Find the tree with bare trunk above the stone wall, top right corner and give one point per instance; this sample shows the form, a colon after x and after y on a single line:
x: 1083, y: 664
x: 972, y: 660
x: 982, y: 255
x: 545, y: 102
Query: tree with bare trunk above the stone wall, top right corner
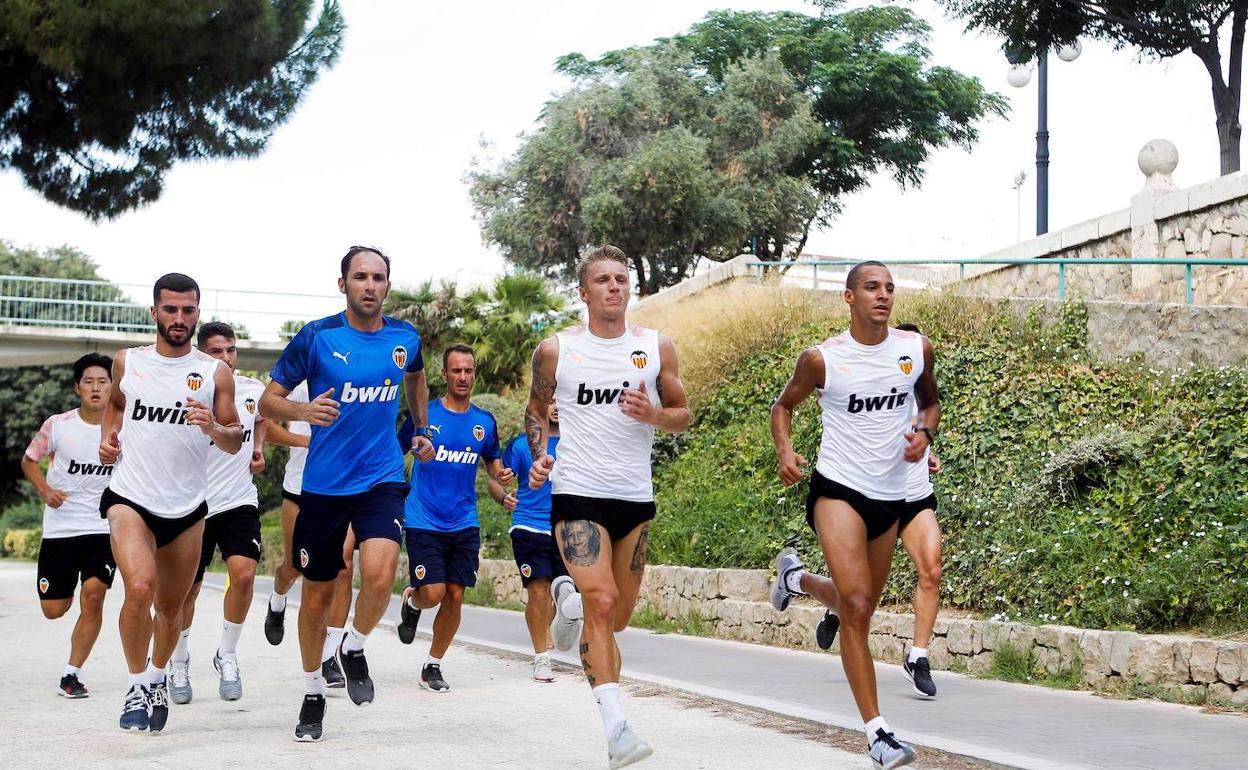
x: 1159, y: 28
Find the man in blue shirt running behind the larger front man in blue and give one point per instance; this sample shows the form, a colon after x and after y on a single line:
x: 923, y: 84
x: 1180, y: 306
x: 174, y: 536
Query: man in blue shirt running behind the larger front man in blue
x: 444, y: 535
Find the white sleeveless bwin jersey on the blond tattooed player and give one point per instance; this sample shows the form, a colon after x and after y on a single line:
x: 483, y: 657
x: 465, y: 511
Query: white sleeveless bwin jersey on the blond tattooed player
x: 605, y: 454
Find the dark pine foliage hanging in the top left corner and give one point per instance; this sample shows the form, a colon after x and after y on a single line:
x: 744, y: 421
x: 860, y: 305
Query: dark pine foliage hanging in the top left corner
x: 99, y: 100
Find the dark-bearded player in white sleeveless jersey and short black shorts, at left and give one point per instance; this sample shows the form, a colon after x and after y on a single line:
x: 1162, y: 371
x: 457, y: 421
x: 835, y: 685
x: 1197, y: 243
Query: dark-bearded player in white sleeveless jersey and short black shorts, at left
x: 168, y: 397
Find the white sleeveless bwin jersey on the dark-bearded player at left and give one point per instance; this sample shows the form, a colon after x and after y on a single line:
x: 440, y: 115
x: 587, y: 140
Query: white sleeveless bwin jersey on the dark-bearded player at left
x: 164, y: 461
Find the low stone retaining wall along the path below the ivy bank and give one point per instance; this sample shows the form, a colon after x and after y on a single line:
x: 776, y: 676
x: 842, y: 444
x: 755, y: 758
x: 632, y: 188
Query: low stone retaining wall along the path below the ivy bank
x: 736, y: 603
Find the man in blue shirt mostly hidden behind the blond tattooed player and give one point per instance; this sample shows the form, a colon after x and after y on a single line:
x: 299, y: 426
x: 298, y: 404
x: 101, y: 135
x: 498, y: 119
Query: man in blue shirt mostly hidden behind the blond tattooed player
x: 537, y: 555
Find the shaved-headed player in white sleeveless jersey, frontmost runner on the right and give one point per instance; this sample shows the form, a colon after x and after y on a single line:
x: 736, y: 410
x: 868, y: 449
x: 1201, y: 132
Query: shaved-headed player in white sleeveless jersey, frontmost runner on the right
x: 867, y: 378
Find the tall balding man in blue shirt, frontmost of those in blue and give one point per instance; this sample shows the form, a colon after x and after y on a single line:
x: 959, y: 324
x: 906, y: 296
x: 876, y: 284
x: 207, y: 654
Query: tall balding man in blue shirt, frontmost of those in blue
x: 355, y: 474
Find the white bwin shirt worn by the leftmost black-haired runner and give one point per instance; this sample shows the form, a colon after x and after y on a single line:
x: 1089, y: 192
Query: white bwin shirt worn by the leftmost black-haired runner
x: 76, y: 470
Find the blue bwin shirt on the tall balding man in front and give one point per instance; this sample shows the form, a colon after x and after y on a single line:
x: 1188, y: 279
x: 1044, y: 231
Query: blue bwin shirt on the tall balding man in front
x: 358, y: 451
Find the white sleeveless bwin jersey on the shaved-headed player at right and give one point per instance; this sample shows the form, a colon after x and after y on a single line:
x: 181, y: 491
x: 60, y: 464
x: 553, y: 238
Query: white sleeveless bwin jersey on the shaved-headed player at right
x: 867, y: 399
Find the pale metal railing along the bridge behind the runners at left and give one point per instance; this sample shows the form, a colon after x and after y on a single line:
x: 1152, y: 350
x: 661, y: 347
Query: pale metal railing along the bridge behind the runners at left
x: 124, y: 308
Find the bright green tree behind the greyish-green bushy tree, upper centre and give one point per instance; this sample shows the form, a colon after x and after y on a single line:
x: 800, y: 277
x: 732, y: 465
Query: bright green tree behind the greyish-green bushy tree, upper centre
x: 880, y: 105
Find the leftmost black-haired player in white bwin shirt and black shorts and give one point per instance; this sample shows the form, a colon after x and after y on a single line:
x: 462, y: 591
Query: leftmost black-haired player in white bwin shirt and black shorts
x: 76, y: 546
